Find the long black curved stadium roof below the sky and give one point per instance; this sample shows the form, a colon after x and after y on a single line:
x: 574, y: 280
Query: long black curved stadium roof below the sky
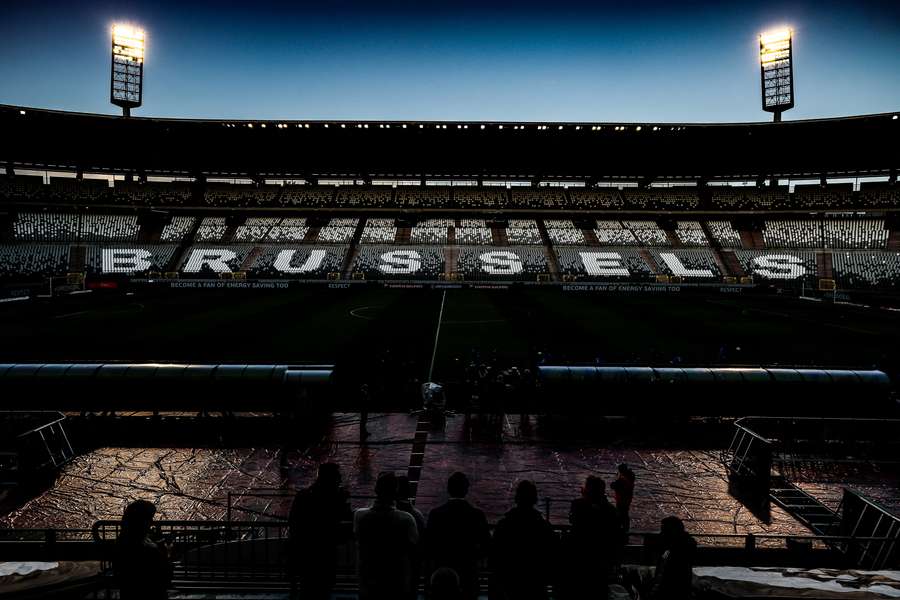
x: 849, y: 146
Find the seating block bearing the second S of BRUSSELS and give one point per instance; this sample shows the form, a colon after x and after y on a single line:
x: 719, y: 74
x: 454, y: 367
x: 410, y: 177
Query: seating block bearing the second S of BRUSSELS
x: 509, y: 263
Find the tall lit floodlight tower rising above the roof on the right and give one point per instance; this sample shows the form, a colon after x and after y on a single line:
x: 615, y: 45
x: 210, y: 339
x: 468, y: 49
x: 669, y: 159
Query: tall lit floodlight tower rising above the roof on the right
x: 777, y: 70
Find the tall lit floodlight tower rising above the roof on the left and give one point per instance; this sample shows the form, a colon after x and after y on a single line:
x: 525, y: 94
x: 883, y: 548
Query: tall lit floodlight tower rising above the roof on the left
x: 126, y: 87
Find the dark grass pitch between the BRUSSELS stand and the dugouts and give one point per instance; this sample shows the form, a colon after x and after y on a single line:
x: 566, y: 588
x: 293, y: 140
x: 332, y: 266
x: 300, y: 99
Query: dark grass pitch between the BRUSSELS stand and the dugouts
x: 359, y: 327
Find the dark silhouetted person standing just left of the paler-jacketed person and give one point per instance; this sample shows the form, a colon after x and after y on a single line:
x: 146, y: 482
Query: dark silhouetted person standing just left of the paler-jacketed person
x: 317, y: 526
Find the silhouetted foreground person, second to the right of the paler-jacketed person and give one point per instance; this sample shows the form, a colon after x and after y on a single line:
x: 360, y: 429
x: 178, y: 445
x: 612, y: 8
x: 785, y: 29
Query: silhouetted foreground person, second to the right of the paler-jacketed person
x: 523, y: 549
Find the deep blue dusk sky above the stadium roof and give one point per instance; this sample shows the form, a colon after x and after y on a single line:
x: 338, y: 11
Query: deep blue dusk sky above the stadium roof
x: 550, y: 61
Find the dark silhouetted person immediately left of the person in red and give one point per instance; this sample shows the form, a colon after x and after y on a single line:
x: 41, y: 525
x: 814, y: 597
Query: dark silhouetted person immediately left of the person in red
x: 593, y: 547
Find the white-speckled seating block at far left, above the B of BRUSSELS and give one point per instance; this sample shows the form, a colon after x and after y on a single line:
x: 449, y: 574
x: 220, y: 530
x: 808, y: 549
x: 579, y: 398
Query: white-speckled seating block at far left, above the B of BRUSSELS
x: 75, y: 227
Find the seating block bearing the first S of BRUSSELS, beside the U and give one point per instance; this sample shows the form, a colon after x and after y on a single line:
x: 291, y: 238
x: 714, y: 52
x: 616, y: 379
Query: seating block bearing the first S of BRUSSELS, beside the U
x: 400, y: 262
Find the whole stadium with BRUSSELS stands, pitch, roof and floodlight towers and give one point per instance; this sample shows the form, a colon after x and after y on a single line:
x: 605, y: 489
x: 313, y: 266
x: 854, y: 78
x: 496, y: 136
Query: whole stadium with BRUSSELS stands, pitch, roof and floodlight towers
x: 201, y: 313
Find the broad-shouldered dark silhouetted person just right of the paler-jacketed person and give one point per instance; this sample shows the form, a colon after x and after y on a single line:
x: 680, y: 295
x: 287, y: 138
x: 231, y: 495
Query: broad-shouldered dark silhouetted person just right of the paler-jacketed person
x: 458, y: 535
